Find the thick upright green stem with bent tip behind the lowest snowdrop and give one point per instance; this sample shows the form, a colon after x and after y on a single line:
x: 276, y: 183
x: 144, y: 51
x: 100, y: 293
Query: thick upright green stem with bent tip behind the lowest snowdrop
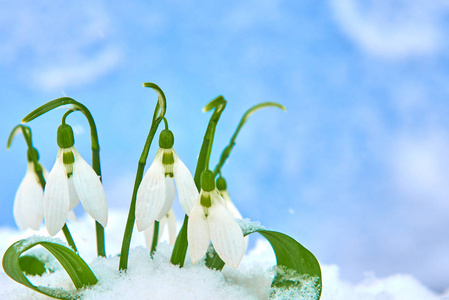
x: 181, y: 244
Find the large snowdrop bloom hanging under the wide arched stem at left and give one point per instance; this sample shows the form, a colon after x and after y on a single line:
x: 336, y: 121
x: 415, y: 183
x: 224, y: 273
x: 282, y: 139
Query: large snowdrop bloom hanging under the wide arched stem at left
x: 70, y: 181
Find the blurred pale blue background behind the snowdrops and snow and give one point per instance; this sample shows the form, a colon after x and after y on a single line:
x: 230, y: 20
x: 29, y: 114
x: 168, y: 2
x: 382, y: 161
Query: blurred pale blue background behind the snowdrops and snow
x: 357, y: 169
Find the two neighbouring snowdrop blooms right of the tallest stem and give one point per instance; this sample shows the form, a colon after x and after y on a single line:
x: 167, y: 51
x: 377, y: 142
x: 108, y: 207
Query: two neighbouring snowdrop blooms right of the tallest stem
x: 209, y: 221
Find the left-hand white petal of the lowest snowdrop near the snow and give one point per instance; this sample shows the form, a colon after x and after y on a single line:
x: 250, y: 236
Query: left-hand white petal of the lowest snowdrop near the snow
x: 197, y: 233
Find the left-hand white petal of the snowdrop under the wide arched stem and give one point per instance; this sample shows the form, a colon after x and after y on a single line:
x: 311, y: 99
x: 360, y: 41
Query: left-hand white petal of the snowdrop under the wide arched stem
x: 56, y: 197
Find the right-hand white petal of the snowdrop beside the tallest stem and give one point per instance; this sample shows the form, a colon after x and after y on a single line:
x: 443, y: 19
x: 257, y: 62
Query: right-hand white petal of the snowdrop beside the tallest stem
x: 187, y: 191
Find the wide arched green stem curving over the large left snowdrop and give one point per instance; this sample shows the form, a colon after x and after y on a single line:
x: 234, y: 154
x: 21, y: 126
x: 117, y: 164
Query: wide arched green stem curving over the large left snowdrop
x: 101, y: 251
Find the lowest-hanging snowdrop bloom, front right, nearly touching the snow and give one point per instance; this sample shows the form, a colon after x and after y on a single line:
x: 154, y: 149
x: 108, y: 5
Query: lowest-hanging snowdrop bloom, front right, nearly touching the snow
x: 209, y: 220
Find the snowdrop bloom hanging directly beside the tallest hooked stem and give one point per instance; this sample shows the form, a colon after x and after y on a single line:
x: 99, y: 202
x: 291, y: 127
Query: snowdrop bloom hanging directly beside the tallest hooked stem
x: 157, y: 191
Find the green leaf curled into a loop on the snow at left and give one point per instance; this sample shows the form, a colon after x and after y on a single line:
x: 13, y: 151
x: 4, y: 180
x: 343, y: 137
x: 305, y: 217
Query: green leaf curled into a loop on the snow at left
x: 75, y: 266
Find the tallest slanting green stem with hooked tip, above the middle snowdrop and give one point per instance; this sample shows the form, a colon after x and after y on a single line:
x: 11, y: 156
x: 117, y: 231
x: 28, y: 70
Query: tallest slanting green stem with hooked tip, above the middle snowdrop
x: 160, y: 107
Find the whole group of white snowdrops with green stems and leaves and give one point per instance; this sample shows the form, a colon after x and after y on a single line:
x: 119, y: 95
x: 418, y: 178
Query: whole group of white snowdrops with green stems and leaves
x: 210, y: 229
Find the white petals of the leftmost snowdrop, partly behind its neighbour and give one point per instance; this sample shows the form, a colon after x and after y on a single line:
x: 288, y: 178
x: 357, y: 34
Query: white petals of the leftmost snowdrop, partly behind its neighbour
x: 28, y: 202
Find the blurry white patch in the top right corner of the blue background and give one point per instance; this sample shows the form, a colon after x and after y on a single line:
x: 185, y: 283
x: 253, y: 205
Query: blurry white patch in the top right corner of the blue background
x: 398, y: 29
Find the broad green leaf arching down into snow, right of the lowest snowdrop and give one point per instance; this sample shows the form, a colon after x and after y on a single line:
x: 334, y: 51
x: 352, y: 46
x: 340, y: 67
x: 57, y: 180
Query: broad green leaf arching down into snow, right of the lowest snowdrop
x: 296, y: 266
